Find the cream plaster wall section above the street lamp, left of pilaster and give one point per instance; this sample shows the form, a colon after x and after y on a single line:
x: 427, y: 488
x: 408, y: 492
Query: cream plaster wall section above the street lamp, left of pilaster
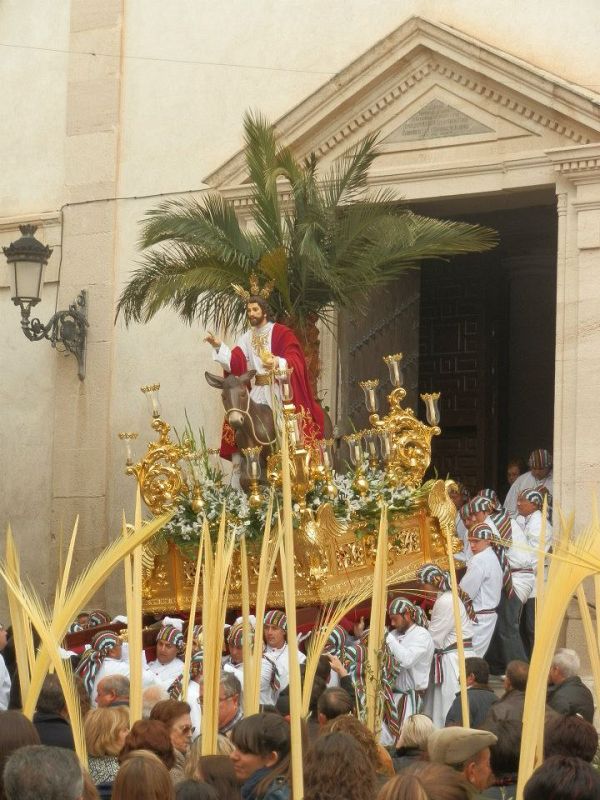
x: 33, y: 67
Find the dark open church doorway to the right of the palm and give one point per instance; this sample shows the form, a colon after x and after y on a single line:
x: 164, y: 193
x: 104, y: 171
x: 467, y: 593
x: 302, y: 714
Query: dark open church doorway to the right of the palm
x: 487, y: 342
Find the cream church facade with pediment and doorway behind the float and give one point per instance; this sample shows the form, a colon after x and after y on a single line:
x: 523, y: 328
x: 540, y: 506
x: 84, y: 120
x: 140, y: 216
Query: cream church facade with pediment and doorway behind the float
x: 137, y: 104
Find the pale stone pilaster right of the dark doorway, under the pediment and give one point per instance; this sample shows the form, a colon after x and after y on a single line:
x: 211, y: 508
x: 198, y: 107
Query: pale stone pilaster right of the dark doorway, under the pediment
x: 577, y: 416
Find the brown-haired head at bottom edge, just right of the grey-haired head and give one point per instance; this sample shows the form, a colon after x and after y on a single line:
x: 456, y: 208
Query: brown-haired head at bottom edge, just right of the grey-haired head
x: 143, y: 776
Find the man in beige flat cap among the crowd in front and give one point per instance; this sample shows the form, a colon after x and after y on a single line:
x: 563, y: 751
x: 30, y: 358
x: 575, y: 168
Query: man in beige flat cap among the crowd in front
x: 466, y: 750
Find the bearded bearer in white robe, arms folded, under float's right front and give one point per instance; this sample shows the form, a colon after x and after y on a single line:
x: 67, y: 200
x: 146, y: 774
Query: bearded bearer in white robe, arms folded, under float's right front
x: 411, y: 646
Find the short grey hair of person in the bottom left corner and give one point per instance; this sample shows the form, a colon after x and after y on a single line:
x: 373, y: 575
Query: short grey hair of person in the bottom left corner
x: 39, y: 772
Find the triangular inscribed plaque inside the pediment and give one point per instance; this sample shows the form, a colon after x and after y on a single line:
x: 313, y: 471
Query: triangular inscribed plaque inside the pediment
x: 436, y: 120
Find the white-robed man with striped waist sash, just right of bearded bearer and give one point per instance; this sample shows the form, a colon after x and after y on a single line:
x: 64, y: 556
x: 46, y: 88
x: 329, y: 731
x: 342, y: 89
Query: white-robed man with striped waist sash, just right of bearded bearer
x: 444, y: 680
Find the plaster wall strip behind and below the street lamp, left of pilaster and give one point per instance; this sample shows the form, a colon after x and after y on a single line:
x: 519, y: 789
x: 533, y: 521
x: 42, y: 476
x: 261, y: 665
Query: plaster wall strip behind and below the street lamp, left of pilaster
x: 27, y: 379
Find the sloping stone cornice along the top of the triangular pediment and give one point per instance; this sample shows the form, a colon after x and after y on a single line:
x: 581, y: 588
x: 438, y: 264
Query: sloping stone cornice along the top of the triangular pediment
x: 398, y: 63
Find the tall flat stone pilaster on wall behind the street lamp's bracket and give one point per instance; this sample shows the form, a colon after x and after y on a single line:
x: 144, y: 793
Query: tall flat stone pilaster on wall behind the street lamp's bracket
x: 92, y: 147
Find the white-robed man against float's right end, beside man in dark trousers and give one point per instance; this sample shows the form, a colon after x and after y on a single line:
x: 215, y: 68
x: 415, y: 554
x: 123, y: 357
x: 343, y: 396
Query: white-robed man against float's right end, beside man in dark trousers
x: 483, y: 583
